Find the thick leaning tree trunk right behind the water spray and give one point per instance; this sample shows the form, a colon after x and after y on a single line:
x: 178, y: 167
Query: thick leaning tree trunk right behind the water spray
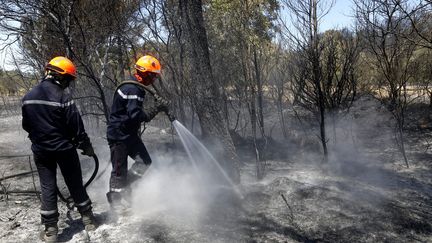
x: 207, y: 95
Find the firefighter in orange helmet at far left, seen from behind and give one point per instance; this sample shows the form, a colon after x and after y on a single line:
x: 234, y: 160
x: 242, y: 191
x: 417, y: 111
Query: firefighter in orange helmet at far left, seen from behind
x: 56, y: 130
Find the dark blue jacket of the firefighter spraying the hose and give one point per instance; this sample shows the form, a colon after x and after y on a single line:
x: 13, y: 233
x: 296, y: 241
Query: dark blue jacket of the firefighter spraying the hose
x: 127, y: 113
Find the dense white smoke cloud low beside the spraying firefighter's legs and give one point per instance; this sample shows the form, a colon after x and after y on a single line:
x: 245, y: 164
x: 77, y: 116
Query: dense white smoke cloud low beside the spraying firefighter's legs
x: 171, y: 186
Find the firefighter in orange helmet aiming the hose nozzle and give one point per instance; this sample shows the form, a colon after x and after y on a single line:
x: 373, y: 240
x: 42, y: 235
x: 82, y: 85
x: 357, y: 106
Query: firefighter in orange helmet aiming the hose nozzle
x: 126, y: 116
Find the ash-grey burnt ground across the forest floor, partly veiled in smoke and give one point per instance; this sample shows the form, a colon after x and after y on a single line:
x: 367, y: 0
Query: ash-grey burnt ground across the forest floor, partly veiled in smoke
x: 365, y: 193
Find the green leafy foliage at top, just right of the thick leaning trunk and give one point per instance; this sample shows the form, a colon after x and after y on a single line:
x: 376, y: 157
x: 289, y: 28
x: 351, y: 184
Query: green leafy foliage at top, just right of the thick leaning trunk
x: 236, y: 30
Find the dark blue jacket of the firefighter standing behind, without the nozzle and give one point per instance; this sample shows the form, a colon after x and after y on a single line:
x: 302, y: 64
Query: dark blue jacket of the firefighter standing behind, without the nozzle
x: 52, y: 119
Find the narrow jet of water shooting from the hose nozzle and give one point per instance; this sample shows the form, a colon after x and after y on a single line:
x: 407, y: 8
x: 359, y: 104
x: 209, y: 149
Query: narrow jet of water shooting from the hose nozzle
x: 199, y: 154
